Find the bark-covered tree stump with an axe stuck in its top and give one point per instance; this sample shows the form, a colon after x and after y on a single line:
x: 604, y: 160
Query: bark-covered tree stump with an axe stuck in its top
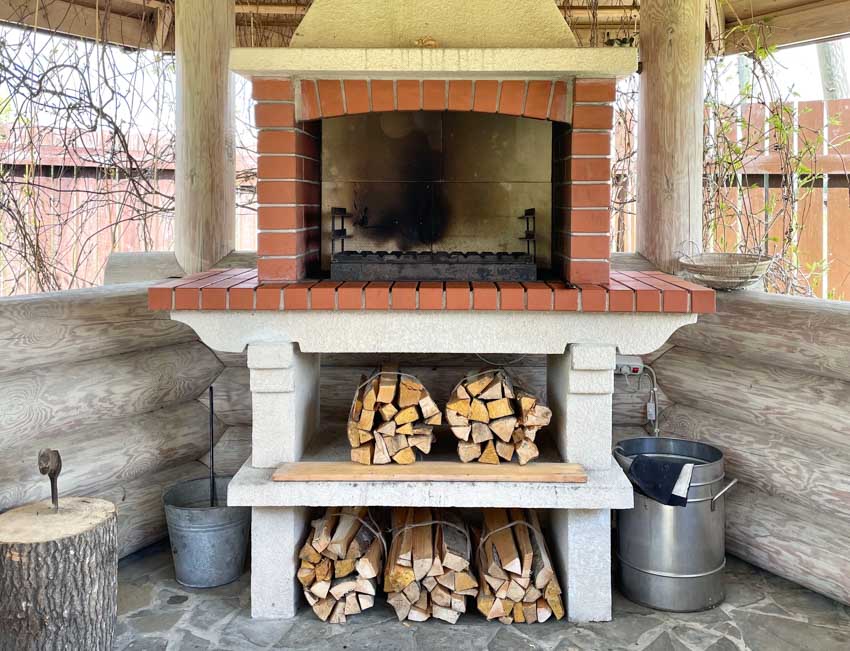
x: 59, y: 575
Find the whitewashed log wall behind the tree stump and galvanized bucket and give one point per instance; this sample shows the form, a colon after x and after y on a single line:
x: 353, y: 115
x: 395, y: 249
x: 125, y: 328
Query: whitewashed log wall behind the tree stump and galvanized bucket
x: 114, y: 388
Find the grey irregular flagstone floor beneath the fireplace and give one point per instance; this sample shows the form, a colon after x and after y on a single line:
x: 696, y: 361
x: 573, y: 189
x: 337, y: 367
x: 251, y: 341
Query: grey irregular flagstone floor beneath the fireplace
x: 762, y: 612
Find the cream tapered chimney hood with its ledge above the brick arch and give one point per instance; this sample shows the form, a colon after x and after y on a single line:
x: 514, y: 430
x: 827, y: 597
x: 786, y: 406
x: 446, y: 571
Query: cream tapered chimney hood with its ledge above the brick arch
x: 437, y: 39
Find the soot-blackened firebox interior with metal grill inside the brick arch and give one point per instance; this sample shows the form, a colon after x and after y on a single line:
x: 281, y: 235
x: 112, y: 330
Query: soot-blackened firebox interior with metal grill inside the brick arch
x: 436, y: 196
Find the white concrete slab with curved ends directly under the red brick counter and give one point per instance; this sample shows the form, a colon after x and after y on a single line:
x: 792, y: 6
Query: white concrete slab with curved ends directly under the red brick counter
x: 434, y: 332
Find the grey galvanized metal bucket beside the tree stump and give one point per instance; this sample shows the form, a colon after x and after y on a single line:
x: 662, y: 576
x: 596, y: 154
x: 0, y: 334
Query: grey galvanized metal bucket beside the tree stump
x: 209, y: 543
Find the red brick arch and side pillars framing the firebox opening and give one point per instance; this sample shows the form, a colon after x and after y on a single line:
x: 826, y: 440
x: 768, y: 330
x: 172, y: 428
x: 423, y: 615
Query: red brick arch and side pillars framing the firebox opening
x: 289, y: 159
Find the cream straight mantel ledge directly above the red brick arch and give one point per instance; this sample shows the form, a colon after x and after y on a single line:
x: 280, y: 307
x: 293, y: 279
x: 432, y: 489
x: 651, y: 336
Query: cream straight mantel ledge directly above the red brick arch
x: 435, y: 63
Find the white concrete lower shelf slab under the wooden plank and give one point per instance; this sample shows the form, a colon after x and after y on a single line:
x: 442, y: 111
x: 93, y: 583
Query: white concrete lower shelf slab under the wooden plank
x: 604, y: 489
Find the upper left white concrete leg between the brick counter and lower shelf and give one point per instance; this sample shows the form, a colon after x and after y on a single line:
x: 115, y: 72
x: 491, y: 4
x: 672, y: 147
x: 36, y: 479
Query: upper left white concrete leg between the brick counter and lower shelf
x: 285, y: 394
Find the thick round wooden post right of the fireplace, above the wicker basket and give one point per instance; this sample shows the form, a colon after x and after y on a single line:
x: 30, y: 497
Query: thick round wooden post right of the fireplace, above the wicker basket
x: 670, y: 159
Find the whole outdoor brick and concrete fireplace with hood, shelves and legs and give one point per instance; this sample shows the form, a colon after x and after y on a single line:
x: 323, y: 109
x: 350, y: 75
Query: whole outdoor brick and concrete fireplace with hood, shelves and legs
x: 429, y: 136
